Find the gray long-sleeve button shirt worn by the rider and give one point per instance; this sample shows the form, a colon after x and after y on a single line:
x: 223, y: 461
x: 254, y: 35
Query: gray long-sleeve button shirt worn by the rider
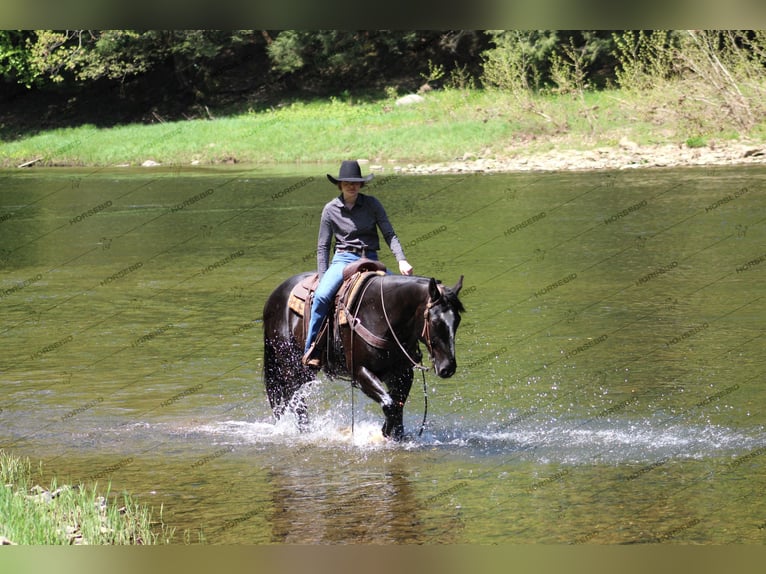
x: 355, y: 228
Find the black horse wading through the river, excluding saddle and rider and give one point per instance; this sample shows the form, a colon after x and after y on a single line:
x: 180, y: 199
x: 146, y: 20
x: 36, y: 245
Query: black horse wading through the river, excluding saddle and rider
x: 397, y: 311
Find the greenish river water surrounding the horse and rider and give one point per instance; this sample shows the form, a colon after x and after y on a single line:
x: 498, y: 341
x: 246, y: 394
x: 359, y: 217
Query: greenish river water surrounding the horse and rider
x: 609, y: 387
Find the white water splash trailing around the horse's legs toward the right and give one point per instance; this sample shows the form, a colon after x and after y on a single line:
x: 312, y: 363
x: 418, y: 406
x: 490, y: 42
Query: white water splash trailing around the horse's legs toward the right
x: 569, y: 442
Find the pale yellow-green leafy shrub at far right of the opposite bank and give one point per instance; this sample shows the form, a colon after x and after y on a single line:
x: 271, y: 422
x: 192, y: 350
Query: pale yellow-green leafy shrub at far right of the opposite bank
x: 697, y: 80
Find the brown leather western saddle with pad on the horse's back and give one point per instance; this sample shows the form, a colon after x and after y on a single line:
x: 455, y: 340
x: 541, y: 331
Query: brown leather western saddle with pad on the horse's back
x: 355, y: 276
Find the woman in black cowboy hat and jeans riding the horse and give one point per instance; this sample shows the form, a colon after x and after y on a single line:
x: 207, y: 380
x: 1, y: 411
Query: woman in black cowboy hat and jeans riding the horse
x: 353, y: 219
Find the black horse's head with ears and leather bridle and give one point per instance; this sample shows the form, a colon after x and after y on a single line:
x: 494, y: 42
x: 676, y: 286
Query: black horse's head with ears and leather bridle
x: 442, y: 318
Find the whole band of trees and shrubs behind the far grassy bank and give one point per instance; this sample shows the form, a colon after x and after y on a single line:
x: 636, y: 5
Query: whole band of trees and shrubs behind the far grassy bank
x: 687, y: 82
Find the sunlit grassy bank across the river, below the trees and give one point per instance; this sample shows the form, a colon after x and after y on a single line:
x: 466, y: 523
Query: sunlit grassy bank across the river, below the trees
x: 447, y: 125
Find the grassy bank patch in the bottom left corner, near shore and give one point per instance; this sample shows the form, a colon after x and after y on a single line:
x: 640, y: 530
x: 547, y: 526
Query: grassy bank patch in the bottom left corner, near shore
x: 78, y: 514
